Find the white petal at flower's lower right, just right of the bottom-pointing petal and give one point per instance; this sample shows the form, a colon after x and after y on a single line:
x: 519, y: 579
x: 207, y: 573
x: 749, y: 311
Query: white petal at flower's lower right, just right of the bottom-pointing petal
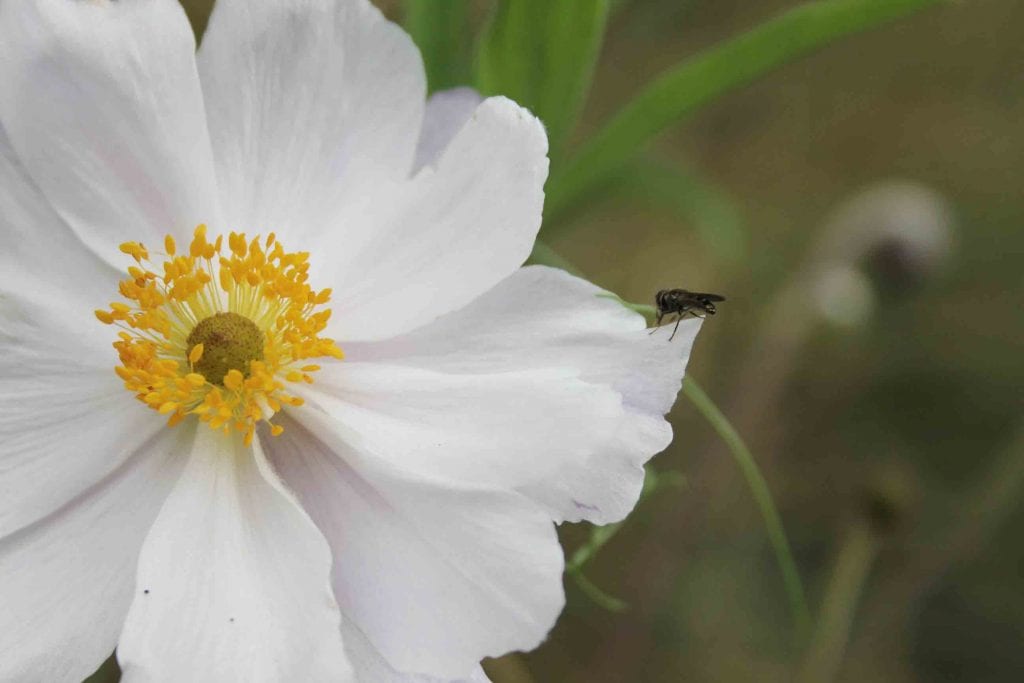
x: 438, y: 575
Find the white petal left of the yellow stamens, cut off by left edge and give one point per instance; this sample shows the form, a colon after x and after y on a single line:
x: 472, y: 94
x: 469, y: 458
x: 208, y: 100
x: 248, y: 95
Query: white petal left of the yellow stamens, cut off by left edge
x: 66, y: 421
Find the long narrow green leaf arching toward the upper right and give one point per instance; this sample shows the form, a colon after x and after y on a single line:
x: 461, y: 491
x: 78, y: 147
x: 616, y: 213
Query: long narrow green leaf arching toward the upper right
x: 689, y: 87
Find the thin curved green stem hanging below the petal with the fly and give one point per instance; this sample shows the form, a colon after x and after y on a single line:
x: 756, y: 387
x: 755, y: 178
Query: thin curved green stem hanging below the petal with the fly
x: 759, y: 489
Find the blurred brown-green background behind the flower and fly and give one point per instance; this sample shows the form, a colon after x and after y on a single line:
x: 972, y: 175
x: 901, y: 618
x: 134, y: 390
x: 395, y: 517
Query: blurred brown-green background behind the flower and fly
x: 862, y: 209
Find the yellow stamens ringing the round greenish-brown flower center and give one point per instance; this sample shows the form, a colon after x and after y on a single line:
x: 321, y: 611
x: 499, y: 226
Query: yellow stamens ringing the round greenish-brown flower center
x: 226, y: 348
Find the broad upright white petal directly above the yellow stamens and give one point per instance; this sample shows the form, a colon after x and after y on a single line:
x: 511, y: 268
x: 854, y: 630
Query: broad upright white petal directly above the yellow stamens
x: 313, y: 104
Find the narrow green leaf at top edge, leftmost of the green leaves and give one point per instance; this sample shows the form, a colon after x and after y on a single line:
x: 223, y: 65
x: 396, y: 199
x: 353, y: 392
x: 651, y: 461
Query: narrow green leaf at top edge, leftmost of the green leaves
x: 441, y: 30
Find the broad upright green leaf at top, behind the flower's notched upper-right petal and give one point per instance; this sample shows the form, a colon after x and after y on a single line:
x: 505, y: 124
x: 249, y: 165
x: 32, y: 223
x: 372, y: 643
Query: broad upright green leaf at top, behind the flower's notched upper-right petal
x: 542, y: 55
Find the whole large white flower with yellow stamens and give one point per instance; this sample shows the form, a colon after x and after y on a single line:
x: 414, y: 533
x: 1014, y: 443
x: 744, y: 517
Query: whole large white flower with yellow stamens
x: 403, y: 521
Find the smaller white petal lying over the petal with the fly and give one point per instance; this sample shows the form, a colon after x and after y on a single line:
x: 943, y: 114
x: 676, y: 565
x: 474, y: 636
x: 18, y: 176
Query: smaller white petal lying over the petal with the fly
x: 505, y: 431
